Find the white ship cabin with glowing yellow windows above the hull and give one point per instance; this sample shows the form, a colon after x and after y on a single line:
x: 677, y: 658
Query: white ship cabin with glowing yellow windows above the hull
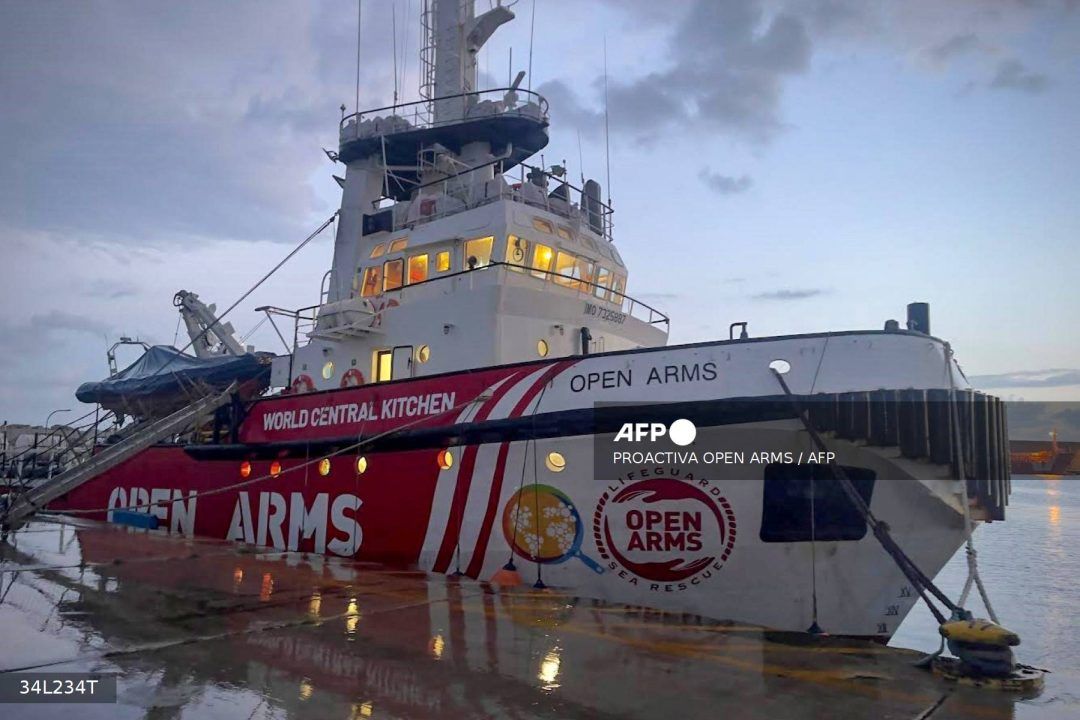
x: 518, y: 275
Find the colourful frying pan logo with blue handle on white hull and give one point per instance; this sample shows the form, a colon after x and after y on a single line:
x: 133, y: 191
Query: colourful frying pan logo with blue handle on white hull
x: 543, y: 525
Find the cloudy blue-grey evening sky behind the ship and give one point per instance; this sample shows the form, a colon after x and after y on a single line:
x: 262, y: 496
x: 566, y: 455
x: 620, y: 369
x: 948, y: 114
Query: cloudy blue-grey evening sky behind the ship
x: 804, y: 166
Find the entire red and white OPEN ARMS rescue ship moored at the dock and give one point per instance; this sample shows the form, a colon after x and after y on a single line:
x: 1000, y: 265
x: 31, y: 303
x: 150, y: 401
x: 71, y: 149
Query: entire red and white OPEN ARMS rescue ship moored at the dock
x: 478, y: 393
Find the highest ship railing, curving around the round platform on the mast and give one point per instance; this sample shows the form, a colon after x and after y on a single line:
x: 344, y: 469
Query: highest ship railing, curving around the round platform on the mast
x: 408, y: 117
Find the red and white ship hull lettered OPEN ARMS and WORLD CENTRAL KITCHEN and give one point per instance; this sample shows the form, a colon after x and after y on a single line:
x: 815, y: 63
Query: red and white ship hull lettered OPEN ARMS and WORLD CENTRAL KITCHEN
x: 724, y: 539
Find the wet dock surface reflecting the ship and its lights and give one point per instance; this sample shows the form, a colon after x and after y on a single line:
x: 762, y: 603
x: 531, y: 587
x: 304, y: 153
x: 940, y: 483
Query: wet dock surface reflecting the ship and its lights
x: 199, y: 629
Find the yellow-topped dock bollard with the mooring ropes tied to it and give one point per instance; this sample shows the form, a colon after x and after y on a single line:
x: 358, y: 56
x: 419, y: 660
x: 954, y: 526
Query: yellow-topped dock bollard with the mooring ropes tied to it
x: 983, y: 648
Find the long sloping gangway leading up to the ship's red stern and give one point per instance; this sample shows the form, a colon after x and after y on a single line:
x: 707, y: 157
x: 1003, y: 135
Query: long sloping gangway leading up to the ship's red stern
x: 144, y: 437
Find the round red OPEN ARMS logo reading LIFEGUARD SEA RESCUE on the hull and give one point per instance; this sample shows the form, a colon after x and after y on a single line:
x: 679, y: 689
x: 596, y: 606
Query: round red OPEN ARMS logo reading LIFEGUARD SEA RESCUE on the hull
x: 673, y: 533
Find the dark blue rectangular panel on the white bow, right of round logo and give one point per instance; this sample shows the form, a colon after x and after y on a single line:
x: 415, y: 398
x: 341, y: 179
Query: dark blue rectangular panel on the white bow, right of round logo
x: 786, y: 504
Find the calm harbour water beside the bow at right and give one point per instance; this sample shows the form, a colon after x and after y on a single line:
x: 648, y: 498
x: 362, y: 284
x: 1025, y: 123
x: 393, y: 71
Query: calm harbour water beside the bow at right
x: 1030, y: 565
